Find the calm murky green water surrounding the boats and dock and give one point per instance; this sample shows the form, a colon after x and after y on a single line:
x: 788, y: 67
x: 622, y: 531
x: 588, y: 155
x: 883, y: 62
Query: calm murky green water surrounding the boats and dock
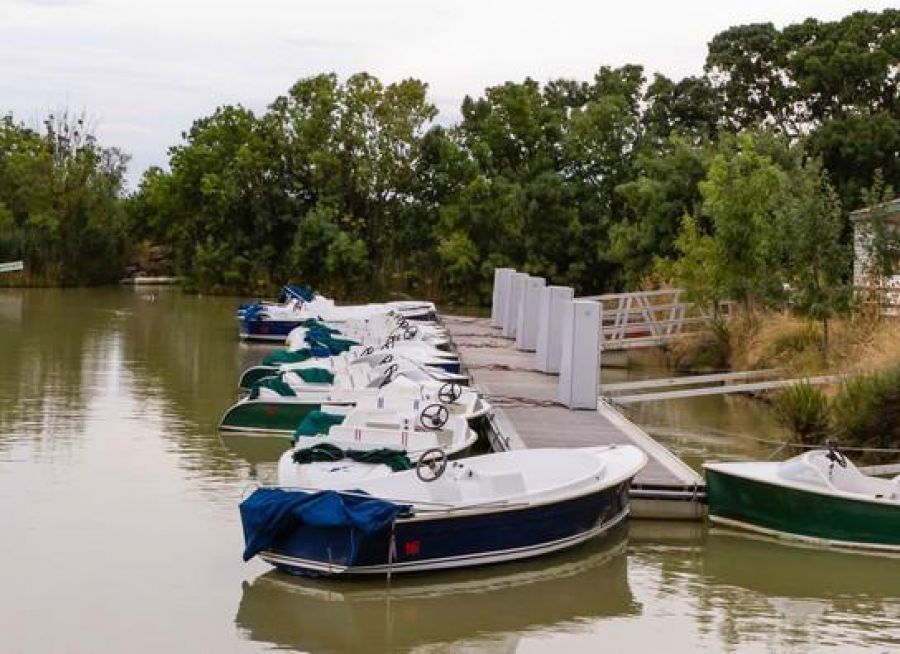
x: 120, y: 530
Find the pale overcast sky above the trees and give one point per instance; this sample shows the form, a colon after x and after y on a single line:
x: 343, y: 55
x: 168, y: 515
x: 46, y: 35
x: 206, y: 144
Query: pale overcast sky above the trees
x: 145, y: 69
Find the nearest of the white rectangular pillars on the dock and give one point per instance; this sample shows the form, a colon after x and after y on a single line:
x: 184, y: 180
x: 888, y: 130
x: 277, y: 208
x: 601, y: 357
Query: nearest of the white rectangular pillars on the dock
x: 579, y: 371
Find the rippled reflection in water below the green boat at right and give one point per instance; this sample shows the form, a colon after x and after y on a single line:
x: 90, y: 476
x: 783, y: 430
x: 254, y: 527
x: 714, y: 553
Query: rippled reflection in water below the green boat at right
x: 804, y: 594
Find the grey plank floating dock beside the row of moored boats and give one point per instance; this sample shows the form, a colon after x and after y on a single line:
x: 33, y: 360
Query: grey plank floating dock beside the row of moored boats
x: 528, y: 414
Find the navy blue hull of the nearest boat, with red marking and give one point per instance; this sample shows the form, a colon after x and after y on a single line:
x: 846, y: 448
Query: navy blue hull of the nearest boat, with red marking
x: 452, y: 540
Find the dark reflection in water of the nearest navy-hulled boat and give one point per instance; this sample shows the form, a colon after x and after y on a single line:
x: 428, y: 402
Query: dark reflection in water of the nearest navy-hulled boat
x: 494, y: 605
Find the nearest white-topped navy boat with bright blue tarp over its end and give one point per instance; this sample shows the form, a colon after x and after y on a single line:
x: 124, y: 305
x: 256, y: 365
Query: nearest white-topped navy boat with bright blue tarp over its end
x: 445, y: 514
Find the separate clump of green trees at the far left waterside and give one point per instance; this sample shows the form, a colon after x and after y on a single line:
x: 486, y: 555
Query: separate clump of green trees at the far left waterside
x: 60, y: 208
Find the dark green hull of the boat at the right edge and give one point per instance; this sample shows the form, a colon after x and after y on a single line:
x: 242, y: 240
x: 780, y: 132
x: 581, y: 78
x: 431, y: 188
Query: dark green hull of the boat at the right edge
x: 799, y: 514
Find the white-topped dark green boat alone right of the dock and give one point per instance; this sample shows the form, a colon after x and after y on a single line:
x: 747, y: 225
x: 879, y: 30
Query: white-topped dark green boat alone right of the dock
x: 818, y: 497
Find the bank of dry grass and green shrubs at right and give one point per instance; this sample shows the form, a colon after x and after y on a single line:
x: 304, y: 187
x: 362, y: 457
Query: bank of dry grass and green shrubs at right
x: 861, y: 412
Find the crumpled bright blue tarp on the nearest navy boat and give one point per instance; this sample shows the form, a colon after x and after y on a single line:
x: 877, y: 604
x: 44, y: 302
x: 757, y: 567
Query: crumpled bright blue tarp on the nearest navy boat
x: 271, y: 512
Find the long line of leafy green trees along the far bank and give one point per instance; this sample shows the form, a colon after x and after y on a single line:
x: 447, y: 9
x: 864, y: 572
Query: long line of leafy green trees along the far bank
x: 736, y: 182
